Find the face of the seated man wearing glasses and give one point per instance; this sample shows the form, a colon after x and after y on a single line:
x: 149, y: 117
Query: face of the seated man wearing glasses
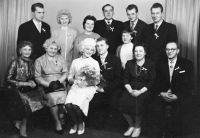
x: 172, y: 51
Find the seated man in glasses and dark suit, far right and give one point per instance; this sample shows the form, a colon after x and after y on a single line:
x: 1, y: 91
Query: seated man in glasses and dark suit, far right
x: 173, y: 88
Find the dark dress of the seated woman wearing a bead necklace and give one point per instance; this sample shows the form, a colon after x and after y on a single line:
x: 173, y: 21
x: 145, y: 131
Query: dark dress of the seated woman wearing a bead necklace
x: 144, y: 78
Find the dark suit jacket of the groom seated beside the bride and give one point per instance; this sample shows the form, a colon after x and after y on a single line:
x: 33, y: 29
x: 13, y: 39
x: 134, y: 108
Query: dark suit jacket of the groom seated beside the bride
x: 112, y: 72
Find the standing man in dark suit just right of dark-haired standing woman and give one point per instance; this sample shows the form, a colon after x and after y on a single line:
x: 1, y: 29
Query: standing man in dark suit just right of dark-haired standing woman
x: 109, y: 28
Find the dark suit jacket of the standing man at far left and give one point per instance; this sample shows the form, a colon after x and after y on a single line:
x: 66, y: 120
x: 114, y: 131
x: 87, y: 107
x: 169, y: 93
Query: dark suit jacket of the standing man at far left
x: 28, y: 31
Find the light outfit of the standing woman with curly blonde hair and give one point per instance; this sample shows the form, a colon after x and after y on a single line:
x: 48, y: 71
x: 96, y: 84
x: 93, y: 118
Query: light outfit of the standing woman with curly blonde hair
x: 66, y: 37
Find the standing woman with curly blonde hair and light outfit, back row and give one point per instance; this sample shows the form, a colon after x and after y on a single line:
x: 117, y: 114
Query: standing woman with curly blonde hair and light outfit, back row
x: 65, y: 35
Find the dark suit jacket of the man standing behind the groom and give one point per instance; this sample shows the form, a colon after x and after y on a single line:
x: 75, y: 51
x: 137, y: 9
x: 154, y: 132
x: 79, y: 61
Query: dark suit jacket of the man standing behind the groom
x: 114, y: 35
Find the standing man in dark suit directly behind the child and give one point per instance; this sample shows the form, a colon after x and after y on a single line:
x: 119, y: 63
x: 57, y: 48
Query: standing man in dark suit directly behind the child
x: 134, y: 24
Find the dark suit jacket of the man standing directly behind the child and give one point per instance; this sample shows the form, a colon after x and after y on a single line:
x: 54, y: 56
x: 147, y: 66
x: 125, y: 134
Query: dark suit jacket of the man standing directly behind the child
x: 139, y: 28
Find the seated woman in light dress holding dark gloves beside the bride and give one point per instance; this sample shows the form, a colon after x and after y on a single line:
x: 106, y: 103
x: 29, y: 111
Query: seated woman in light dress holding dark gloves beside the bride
x: 51, y: 72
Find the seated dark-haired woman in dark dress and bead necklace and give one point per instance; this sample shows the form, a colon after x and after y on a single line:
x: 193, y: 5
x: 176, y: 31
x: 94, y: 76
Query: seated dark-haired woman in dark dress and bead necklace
x: 138, y: 78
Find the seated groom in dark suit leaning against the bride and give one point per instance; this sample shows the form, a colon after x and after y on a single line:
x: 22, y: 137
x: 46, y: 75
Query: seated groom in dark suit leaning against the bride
x: 107, y: 98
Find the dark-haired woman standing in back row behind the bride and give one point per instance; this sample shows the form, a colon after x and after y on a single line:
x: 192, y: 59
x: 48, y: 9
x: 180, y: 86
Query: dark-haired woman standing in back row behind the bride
x: 88, y: 26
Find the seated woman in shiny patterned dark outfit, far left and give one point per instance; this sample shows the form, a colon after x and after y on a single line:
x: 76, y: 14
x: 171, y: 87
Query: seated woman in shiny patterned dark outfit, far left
x: 22, y: 94
